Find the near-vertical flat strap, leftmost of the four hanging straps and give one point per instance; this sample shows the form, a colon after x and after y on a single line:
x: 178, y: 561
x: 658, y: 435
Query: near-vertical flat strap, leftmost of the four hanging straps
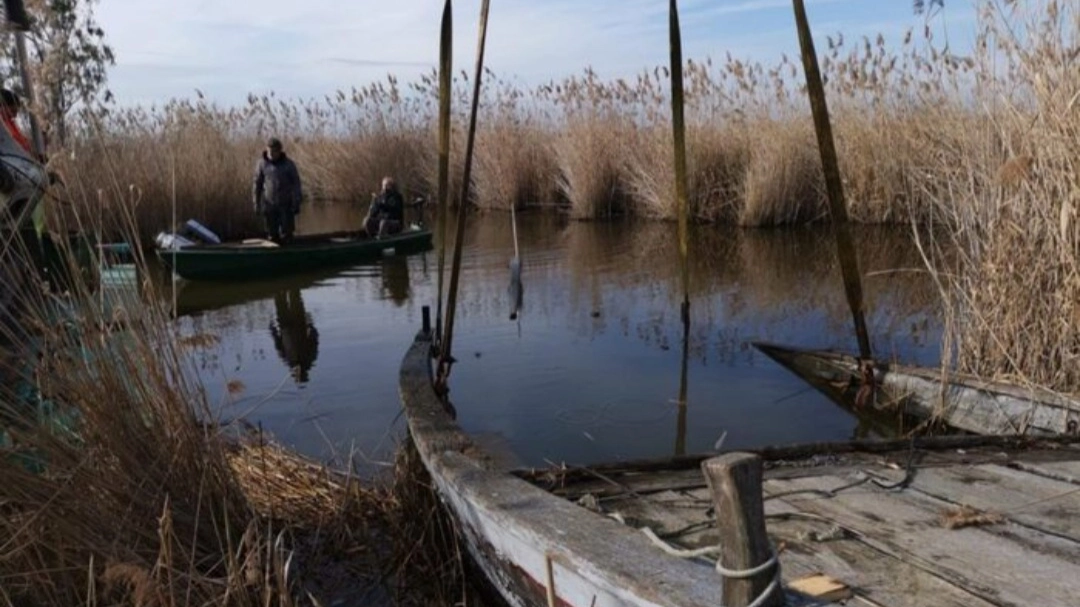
x: 445, y: 69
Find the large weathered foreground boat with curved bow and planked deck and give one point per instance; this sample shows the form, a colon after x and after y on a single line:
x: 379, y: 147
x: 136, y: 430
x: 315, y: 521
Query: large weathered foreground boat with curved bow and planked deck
x: 863, y: 520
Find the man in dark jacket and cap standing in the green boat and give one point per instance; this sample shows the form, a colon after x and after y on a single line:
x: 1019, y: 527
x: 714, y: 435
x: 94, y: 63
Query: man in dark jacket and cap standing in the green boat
x: 277, y: 194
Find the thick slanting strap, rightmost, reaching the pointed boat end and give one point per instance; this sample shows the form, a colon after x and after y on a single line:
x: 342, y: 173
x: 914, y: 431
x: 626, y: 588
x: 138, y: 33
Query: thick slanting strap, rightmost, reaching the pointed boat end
x: 839, y: 210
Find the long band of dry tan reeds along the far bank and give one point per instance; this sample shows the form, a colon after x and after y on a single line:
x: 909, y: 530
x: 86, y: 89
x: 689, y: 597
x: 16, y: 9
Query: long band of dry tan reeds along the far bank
x: 591, y: 146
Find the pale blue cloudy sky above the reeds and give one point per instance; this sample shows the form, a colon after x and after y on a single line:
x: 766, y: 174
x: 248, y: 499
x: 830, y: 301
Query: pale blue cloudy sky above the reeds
x: 228, y: 49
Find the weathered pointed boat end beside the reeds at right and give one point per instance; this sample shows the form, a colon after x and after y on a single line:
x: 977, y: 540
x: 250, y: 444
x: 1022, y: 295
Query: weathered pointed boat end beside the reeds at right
x: 963, y: 401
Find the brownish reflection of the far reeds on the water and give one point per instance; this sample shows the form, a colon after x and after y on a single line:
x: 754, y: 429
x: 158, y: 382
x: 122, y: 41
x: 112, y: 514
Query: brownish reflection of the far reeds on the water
x: 624, y: 277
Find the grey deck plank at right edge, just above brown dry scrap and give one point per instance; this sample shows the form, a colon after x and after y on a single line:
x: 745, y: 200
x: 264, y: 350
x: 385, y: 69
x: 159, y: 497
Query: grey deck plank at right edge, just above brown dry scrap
x: 1030, y: 500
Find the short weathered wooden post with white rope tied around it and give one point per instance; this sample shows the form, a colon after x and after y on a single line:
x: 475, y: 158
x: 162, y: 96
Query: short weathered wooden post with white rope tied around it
x: 735, y: 481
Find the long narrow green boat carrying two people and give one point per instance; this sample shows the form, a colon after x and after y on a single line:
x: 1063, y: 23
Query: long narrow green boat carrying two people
x: 260, y: 259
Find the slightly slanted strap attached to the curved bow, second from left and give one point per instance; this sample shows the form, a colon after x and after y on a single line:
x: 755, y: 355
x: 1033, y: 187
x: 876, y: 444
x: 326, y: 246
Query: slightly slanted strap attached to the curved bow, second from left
x: 445, y: 358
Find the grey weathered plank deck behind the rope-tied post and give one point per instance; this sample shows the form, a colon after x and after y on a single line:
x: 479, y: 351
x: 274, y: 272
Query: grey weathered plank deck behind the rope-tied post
x: 977, y: 527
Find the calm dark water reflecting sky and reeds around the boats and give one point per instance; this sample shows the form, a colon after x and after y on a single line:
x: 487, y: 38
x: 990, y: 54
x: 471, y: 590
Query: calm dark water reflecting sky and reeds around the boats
x: 590, y: 372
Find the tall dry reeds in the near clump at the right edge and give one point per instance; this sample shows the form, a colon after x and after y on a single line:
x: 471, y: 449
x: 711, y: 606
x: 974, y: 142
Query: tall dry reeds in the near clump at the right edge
x: 1011, y: 206
